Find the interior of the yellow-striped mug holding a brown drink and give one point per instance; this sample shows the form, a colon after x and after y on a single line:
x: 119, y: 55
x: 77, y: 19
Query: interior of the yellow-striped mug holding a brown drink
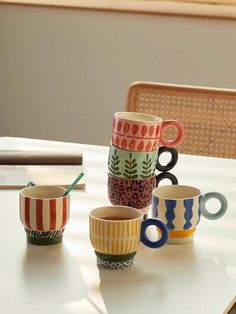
x: 115, y: 211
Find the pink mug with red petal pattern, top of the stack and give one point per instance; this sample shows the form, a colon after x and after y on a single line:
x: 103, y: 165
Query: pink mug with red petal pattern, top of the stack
x: 142, y: 132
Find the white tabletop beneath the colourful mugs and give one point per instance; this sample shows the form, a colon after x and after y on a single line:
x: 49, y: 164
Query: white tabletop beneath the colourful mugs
x: 194, y: 278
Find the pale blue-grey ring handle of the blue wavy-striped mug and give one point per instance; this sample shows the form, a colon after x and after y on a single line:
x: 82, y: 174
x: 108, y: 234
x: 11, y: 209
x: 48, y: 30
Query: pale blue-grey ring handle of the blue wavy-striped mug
x: 220, y: 197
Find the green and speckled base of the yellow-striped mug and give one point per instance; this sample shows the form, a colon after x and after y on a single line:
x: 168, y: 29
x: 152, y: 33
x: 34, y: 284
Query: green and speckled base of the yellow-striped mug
x: 110, y: 261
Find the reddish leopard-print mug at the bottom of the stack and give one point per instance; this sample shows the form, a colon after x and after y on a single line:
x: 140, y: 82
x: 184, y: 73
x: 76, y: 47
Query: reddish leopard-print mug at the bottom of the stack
x: 136, y: 193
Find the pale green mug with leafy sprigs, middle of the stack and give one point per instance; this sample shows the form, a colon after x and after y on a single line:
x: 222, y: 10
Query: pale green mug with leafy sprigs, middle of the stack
x: 134, y: 165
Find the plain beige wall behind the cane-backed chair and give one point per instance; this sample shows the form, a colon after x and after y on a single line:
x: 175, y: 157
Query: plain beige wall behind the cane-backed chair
x: 64, y: 72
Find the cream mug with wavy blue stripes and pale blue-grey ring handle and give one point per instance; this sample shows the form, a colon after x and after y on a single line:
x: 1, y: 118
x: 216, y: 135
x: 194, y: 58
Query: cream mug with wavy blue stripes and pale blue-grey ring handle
x: 180, y: 207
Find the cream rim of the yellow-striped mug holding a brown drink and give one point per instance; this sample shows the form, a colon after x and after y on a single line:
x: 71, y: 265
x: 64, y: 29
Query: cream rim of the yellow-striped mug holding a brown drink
x: 119, y: 207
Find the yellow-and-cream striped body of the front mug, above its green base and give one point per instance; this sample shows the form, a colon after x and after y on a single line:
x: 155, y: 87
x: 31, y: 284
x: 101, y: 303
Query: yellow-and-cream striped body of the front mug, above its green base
x: 115, y: 237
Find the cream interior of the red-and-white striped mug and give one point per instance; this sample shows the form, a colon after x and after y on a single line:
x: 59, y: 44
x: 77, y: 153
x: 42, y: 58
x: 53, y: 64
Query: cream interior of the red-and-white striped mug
x: 43, y: 192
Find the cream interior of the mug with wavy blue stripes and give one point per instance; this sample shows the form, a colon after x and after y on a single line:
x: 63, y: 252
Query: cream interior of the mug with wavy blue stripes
x: 176, y: 192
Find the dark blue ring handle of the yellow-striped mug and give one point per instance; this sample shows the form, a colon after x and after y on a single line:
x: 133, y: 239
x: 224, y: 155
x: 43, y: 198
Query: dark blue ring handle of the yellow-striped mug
x: 161, y: 226
